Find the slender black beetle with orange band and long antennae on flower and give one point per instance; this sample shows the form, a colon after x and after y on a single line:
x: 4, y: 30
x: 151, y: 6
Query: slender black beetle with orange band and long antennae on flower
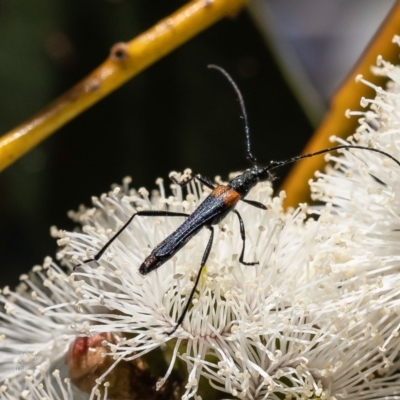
x: 221, y: 201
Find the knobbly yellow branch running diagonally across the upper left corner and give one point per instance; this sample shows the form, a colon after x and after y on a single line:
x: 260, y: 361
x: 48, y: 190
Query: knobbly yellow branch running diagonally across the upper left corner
x: 125, y: 61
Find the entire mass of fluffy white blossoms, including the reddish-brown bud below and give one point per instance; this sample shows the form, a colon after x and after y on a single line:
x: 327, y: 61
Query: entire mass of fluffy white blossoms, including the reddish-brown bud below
x: 317, y: 318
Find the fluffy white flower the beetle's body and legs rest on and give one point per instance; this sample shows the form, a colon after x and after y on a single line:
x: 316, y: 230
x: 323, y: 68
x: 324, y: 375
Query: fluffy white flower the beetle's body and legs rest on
x: 288, y: 326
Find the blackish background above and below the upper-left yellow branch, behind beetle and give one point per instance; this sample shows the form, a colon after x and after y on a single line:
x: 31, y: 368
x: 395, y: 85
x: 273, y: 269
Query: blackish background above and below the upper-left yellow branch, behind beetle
x: 176, y: 114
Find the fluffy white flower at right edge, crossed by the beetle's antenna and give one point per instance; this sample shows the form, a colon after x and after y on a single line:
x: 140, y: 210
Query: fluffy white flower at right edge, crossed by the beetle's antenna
x: 364, y: 188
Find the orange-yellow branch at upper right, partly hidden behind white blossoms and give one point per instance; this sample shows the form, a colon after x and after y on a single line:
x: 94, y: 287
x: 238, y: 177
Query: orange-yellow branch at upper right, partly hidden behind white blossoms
x: 348, y: 96
